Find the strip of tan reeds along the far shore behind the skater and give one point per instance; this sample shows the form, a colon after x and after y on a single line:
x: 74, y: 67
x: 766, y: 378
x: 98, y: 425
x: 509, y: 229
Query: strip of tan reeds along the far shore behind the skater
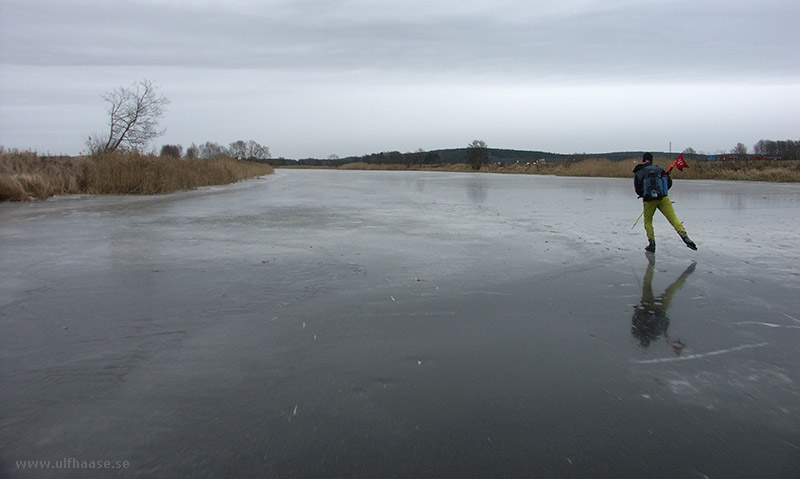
x: 772, y: 171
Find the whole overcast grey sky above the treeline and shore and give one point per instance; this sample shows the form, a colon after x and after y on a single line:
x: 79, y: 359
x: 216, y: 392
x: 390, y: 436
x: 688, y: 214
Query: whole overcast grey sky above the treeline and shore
x: 312, y: 78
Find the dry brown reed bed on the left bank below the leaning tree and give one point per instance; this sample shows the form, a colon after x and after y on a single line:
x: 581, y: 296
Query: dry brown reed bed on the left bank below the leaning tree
x: 25, y: 175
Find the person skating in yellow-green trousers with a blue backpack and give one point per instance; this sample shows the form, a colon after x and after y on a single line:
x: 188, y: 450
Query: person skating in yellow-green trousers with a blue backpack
x: 652, y: 184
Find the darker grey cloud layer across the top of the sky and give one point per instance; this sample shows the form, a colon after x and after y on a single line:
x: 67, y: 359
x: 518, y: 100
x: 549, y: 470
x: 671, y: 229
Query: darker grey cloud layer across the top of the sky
x: 532, y: 39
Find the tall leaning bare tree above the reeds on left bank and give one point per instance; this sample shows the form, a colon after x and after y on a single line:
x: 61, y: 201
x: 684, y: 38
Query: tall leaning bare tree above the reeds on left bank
x: 134, y: 113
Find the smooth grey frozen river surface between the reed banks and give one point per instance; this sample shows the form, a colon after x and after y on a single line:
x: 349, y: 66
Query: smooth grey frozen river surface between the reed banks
x: 402, y: 324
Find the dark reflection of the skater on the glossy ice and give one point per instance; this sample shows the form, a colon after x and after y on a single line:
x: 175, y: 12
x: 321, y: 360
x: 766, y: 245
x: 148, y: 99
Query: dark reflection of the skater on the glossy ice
x: 650, y: 319
